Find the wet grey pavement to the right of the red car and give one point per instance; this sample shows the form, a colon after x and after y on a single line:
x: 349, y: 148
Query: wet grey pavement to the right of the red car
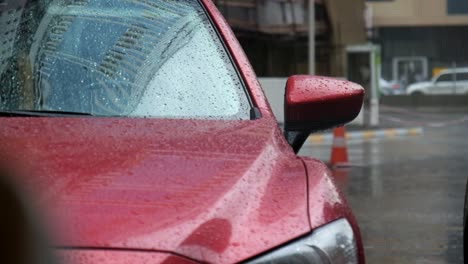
x: 408, y: 192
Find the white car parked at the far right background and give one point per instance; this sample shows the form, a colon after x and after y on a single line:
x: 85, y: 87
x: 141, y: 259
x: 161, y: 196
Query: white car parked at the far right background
x: 452, y: 81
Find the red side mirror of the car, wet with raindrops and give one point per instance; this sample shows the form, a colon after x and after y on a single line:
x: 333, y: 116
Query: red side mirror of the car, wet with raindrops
x: 313, y: 103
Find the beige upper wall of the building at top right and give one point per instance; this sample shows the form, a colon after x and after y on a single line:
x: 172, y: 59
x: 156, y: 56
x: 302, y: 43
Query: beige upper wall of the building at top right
x: 413, y: 13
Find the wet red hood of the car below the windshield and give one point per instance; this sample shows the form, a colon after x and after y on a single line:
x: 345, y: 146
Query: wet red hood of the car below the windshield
x: 216, y: 191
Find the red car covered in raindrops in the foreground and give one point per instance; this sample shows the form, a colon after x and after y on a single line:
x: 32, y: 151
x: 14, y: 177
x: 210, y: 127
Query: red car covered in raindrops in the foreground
x: 146, y: 138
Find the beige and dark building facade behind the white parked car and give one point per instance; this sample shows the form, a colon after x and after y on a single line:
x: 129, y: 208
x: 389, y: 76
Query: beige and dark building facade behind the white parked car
x: 419, y: 37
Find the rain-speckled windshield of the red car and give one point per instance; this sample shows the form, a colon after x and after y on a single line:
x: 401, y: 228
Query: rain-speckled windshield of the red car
x: 149, y: 58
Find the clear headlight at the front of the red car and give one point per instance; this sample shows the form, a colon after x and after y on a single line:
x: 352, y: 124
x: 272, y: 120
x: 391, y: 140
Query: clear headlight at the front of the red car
x: 333, y: 243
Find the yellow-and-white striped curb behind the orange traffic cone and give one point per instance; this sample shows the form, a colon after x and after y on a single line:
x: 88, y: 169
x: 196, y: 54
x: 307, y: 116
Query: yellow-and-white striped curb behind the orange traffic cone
x: 368, y: 134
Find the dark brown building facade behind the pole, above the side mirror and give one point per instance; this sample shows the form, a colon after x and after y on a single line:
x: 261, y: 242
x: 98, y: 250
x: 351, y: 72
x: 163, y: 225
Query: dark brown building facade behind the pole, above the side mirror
x: 274, y: 33
